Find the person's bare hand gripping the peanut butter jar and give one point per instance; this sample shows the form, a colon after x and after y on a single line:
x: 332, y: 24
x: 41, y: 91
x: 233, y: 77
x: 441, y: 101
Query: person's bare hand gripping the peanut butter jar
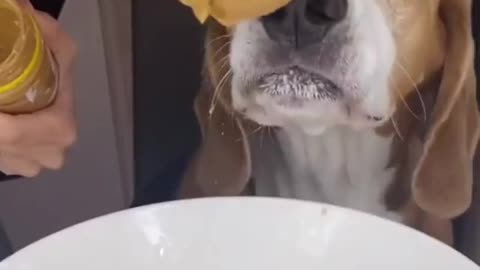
x: 32, y: 142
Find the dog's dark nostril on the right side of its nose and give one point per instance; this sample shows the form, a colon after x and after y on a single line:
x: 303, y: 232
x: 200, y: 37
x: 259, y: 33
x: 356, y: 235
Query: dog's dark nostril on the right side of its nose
x: 325, y: 11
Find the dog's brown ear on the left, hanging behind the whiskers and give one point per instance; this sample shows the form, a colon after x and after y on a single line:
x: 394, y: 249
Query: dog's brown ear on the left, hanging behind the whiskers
x: 222, y: 165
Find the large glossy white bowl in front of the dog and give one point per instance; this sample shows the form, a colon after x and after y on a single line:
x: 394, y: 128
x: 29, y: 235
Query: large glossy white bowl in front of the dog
x: 238, y: 234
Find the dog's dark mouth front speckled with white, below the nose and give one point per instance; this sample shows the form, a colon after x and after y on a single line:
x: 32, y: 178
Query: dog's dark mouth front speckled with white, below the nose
x: 299, y: 84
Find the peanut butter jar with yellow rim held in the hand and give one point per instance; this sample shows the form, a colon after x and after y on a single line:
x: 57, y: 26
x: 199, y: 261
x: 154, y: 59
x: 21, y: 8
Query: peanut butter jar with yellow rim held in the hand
x: 28, y: 74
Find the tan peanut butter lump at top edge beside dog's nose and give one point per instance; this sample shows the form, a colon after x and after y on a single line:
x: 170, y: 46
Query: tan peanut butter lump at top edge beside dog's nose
x: 230, y: 12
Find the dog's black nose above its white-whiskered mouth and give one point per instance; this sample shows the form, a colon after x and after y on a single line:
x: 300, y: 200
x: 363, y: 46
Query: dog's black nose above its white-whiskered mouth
x: 304, y: 22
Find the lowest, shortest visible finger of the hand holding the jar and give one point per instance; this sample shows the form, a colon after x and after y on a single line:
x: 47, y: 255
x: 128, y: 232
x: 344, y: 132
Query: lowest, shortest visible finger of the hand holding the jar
x: 12, y: 165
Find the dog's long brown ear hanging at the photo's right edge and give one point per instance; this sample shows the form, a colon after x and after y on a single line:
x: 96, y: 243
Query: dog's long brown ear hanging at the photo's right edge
x: 442, y: 183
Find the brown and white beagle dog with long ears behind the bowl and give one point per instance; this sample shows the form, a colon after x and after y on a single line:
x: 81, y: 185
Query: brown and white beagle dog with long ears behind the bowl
x: 365, y: 104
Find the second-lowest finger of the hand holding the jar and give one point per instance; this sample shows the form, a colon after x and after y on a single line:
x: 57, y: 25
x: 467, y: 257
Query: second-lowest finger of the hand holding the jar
x: 52, y: 158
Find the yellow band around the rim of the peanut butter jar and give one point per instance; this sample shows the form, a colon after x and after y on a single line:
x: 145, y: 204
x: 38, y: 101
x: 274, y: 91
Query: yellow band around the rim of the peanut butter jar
x: 34, y: 62
